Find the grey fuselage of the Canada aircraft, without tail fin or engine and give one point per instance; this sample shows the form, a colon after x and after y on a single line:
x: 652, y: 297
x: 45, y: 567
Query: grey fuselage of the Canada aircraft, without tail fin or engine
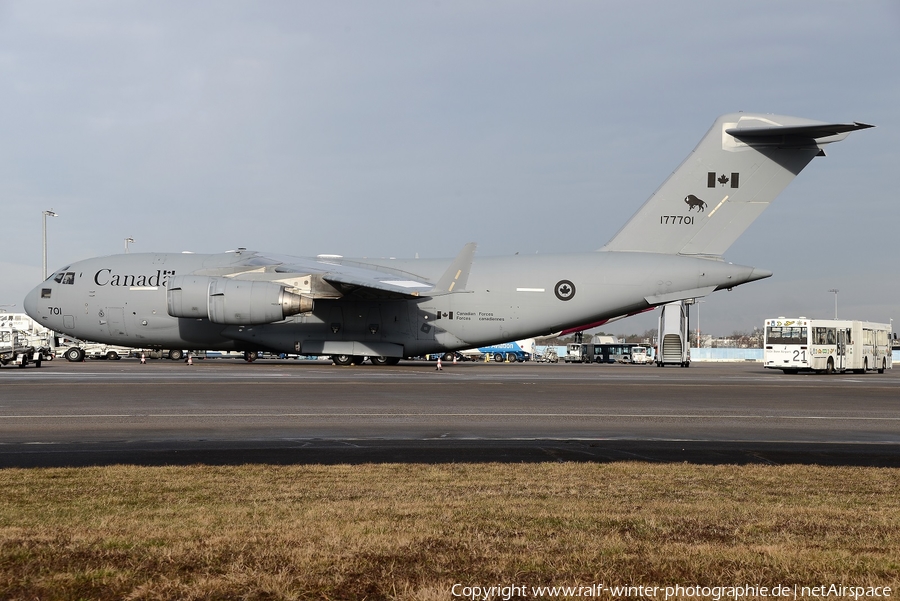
x: 122, y: 299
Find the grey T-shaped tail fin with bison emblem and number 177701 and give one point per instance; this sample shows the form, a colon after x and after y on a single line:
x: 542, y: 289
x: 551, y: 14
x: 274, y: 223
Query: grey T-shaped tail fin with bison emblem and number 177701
x: 734, y: 173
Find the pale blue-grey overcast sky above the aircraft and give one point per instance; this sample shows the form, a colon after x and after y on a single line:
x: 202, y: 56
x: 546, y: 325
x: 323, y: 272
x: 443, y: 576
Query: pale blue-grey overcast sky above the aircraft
x: 395, y: 128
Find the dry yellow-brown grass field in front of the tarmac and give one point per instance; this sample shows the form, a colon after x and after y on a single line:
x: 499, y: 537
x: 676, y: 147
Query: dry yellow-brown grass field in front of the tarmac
x: 413, y: 531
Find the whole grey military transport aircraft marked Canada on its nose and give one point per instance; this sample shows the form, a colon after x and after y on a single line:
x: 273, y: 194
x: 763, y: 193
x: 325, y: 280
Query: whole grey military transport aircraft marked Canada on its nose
x: 386, y: 309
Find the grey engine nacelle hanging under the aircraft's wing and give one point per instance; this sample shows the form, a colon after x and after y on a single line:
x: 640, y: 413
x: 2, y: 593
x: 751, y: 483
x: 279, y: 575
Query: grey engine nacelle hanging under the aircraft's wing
x: 232, y: 302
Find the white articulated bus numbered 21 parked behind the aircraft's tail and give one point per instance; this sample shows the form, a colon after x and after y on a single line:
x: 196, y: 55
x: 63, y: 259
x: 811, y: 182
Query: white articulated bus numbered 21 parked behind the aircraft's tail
x: 827, y: 345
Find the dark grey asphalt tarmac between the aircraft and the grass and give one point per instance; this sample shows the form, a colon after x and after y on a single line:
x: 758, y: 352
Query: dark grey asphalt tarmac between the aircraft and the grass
x: 222, y: 411
